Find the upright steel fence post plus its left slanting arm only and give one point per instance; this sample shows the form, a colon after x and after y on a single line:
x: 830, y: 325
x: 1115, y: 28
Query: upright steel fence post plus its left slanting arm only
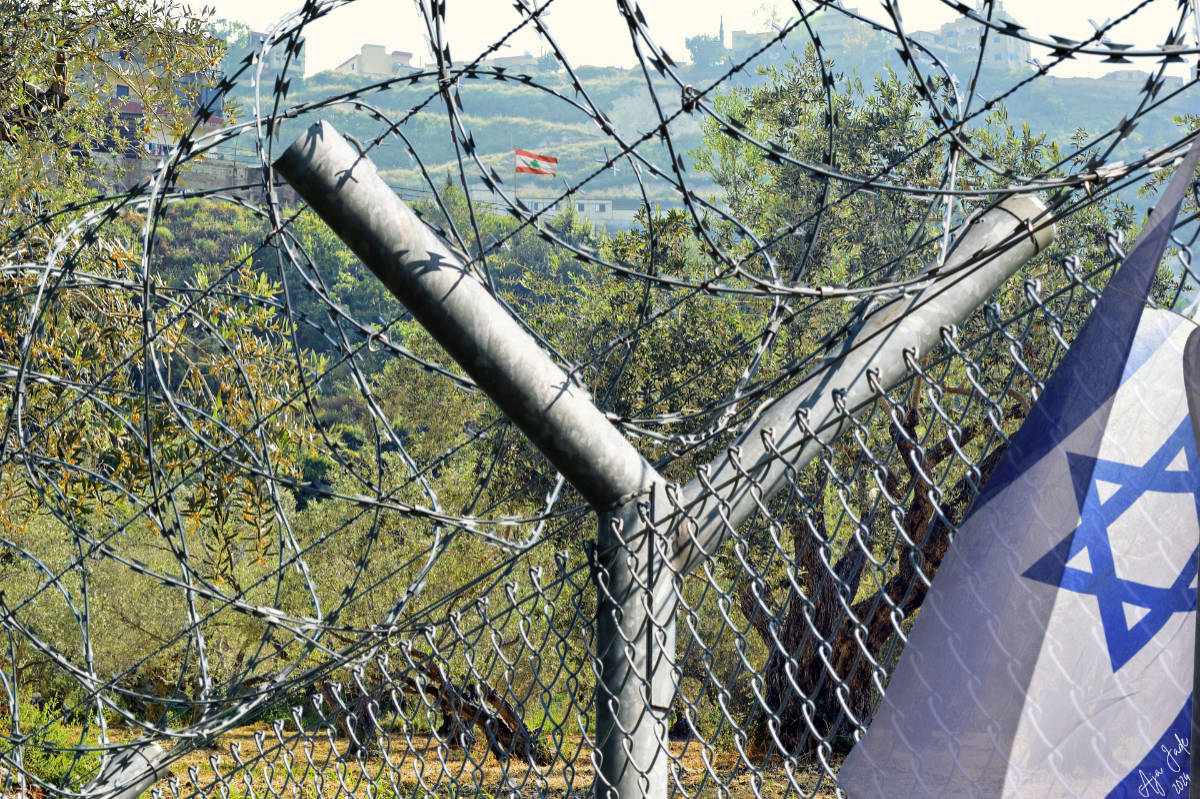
x: 635, y: 635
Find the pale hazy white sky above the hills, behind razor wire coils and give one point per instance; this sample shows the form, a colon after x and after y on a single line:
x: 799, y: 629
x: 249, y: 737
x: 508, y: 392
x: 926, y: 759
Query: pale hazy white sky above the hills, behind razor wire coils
x: 591, y: 32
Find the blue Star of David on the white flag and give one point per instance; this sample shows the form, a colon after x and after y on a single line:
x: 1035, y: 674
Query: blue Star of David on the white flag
x: 1093, y: 534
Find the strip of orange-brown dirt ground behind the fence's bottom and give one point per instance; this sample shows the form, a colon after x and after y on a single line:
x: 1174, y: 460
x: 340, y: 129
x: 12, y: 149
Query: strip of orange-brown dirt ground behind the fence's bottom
x: 256, y: 762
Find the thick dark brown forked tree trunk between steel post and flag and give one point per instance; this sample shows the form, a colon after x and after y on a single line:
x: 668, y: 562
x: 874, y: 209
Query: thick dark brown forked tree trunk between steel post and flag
x: 818, y: 680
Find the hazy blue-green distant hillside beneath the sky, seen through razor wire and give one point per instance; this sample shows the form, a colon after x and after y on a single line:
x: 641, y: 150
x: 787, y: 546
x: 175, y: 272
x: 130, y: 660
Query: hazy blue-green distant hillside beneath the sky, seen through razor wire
x: 501, y: 116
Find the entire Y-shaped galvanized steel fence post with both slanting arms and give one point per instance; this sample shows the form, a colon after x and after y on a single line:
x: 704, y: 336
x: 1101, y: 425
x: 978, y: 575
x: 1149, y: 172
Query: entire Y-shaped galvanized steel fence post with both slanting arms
x: 644, y: 539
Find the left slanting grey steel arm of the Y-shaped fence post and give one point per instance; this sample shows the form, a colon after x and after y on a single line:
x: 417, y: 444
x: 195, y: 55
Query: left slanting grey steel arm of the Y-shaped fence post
x: 433, y: 281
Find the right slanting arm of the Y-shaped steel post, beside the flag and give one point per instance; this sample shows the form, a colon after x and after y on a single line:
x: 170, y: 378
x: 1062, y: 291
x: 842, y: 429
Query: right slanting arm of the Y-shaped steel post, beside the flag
x: 991, y: 250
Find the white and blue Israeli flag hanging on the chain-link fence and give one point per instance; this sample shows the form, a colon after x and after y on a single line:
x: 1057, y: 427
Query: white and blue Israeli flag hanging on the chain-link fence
x: 1054, y: 653
